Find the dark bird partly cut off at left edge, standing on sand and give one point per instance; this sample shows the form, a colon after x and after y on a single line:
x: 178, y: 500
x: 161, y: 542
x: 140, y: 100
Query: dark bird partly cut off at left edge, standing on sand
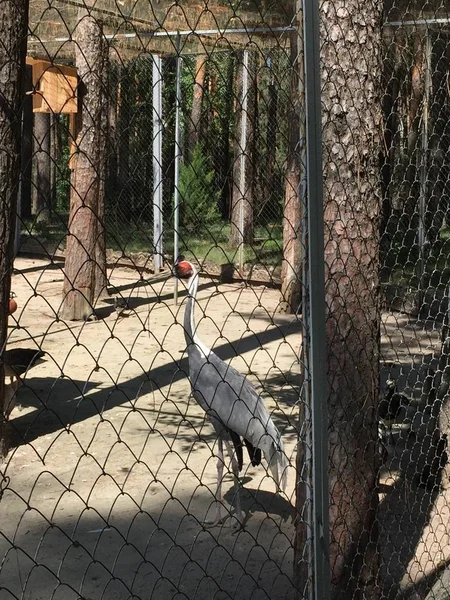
x: 16, y: 363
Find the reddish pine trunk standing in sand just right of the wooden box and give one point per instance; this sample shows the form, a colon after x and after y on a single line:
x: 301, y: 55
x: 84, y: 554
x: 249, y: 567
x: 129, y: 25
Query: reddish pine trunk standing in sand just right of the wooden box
x: 85, y: 268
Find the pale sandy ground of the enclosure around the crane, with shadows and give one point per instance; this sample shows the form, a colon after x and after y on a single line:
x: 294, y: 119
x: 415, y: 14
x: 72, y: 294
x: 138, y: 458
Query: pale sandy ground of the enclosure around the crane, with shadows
x: 112, y: 469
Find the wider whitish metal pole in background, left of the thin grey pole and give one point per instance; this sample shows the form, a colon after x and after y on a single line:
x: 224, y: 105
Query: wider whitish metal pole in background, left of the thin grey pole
x: 157, y: 163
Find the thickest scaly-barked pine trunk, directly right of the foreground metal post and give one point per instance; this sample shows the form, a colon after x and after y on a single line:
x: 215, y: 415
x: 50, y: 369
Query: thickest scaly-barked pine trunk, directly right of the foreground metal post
x: 351, y: 76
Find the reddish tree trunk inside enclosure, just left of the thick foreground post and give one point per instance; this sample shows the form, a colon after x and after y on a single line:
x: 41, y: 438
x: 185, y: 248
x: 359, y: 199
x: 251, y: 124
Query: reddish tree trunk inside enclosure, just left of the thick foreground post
x: 291, y: 287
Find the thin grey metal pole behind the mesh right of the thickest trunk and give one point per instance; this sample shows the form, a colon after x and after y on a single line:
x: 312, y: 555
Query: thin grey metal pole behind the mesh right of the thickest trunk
x: 423, y: 158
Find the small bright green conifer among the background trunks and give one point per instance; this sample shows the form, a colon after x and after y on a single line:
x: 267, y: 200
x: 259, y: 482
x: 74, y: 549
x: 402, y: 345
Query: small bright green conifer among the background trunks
x: 198, y: 198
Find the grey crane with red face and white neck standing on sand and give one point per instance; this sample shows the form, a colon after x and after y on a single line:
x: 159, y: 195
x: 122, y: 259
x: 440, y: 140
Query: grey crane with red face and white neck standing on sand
x: 236, y: 411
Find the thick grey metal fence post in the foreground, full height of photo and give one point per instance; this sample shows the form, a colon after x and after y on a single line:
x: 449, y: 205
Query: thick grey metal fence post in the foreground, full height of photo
x: 316, y: 287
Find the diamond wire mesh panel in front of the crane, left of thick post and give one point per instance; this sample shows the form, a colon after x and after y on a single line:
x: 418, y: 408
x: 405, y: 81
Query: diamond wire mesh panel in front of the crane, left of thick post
x: 112, y: 465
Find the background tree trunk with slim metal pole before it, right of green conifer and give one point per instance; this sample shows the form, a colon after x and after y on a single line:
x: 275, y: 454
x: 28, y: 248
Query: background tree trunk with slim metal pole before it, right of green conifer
x: 242, y: 224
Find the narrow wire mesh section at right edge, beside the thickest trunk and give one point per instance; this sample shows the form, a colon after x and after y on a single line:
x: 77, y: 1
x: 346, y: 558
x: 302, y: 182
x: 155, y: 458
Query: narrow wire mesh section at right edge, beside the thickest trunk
x: 414, y: 278
